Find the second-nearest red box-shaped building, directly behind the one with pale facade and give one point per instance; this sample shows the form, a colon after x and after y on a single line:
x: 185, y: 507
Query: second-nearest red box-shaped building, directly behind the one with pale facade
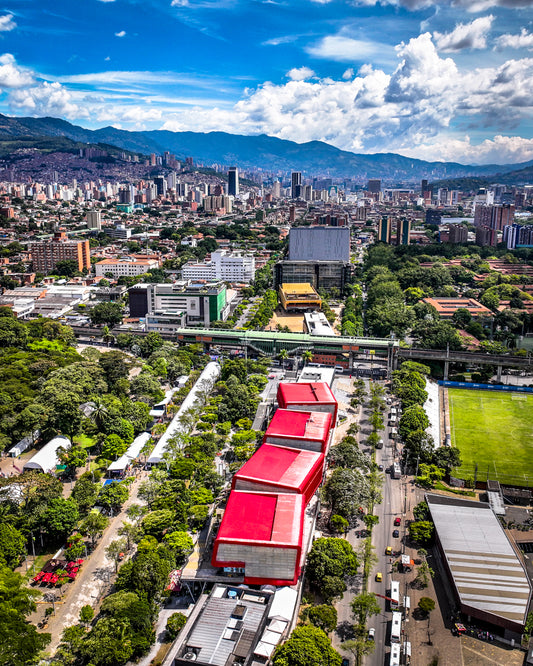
x: 281, y: 469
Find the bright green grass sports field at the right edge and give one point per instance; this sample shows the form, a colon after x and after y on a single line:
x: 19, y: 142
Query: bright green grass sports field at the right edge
x: 494, y: 430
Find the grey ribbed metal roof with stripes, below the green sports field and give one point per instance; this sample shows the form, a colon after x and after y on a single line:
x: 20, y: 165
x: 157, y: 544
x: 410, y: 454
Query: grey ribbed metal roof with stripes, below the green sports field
x: 486, y: 570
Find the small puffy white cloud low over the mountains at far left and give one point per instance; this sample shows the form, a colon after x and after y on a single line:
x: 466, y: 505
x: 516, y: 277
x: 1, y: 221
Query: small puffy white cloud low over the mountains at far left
x: 47, y: 99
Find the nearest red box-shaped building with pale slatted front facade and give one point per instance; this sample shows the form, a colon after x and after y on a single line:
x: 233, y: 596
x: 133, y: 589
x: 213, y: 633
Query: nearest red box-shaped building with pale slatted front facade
x: 262, y: 533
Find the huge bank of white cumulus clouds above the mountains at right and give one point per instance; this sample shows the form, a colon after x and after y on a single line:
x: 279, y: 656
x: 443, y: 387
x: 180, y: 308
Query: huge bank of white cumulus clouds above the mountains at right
x: 412, y: 108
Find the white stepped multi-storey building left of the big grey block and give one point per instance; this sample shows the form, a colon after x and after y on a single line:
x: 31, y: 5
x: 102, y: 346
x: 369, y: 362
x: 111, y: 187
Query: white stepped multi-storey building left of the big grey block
x: 223, y: 265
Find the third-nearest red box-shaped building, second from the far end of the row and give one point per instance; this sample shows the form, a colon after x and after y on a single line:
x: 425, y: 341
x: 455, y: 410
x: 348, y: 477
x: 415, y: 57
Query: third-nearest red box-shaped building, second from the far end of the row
x: 302, y: 430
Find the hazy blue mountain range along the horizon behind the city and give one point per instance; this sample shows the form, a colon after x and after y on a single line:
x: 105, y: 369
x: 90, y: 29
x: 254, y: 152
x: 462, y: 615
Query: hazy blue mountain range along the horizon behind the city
x: 278, y: 156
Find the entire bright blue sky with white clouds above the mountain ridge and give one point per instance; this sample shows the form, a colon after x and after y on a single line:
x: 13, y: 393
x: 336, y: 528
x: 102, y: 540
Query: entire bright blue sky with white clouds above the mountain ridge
x: 430, y: 79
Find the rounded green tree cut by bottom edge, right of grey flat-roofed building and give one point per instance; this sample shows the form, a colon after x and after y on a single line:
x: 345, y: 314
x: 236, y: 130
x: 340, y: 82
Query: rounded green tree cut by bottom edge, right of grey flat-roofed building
x: 307, y: 646
